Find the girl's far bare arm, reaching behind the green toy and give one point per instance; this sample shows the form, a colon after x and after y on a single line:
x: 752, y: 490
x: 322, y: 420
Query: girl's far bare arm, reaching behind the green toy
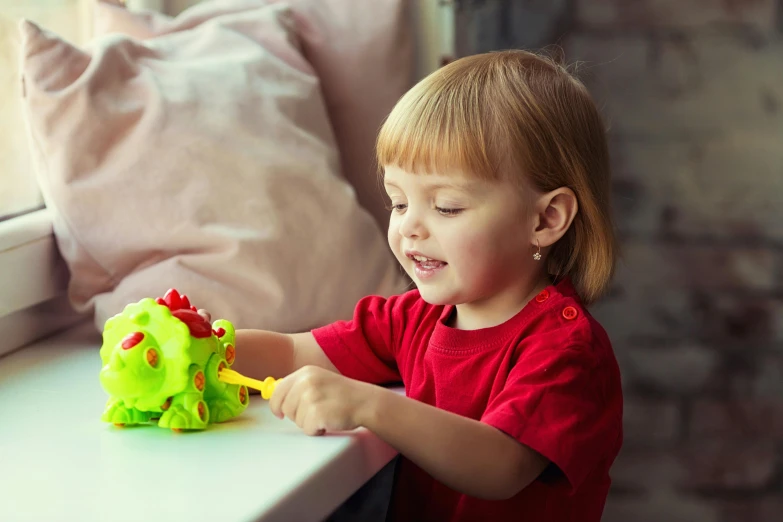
x: 261, y: 353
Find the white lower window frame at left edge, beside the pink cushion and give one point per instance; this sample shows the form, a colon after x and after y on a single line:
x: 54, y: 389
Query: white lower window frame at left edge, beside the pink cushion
x: 33, y: 282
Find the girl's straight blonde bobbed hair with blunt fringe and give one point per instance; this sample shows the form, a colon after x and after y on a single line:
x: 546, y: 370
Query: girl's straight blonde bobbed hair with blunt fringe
x: 500, y: 114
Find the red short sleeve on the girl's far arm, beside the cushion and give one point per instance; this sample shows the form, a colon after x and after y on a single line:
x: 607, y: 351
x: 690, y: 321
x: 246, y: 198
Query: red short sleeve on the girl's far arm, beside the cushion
x: 363, y: 348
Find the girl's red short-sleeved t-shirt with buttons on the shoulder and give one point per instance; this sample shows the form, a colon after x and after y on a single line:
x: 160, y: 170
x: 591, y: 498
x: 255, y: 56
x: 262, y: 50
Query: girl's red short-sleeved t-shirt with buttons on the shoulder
x: 546, y: 377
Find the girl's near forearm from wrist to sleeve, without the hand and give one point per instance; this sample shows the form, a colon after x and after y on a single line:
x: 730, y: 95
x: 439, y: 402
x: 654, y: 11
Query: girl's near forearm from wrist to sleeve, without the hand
x: 469, y: 456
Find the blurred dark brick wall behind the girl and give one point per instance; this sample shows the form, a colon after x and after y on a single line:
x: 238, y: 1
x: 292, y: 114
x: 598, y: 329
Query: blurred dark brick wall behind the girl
x: 693, y: 93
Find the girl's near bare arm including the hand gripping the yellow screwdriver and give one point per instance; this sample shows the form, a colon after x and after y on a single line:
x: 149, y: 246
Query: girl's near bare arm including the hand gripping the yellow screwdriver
x: 467, y: 455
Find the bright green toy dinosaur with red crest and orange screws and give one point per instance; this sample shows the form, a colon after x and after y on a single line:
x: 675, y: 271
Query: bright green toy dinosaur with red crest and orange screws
x: 161, y: 360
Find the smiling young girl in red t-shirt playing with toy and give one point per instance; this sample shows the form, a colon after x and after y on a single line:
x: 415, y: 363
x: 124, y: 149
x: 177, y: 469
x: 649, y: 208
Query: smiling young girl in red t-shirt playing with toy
x: 498, y: 174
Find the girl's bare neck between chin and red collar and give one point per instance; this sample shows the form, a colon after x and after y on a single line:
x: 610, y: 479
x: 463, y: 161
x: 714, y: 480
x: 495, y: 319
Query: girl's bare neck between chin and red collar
x: 497, y: 309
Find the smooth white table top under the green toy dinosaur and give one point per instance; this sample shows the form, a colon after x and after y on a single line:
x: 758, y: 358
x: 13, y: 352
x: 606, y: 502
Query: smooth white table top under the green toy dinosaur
x: 59, y: 461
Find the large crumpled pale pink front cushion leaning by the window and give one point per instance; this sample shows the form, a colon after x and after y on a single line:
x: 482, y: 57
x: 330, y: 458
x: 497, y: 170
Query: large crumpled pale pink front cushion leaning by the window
x: 202, y: 160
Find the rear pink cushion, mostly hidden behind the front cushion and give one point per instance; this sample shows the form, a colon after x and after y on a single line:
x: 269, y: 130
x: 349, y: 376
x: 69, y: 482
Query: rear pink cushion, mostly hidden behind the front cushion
x: 362, y: 54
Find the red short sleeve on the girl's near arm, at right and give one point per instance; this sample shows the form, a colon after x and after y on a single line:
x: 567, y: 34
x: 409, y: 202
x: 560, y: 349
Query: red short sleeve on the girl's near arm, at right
x: 561, y: 403
